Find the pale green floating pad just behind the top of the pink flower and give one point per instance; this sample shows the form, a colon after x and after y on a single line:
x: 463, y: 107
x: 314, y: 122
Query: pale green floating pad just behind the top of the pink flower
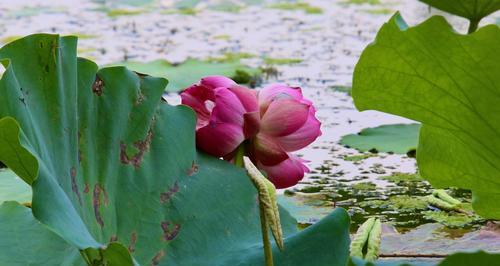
x: 187, y: 73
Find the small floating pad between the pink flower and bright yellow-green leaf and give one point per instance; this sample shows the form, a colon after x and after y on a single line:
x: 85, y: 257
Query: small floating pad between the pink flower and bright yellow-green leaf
x: 399, y: 138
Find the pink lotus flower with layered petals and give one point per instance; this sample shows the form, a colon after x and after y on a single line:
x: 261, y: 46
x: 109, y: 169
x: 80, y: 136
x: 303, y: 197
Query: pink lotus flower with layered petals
x: 270, y: 124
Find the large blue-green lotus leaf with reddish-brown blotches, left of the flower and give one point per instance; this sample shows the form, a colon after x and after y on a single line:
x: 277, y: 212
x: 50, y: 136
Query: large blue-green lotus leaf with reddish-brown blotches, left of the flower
x: 114, y: 171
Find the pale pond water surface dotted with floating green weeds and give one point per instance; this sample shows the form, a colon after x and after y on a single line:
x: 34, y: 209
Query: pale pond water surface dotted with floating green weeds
x: 314, y: 46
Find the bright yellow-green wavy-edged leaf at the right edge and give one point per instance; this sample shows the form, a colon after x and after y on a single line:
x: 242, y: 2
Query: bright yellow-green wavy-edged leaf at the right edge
x: 452, y: 85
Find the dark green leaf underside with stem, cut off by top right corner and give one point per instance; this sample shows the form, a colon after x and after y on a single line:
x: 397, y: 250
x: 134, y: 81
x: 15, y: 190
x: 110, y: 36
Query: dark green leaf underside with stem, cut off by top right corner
x: 473, y: 10
